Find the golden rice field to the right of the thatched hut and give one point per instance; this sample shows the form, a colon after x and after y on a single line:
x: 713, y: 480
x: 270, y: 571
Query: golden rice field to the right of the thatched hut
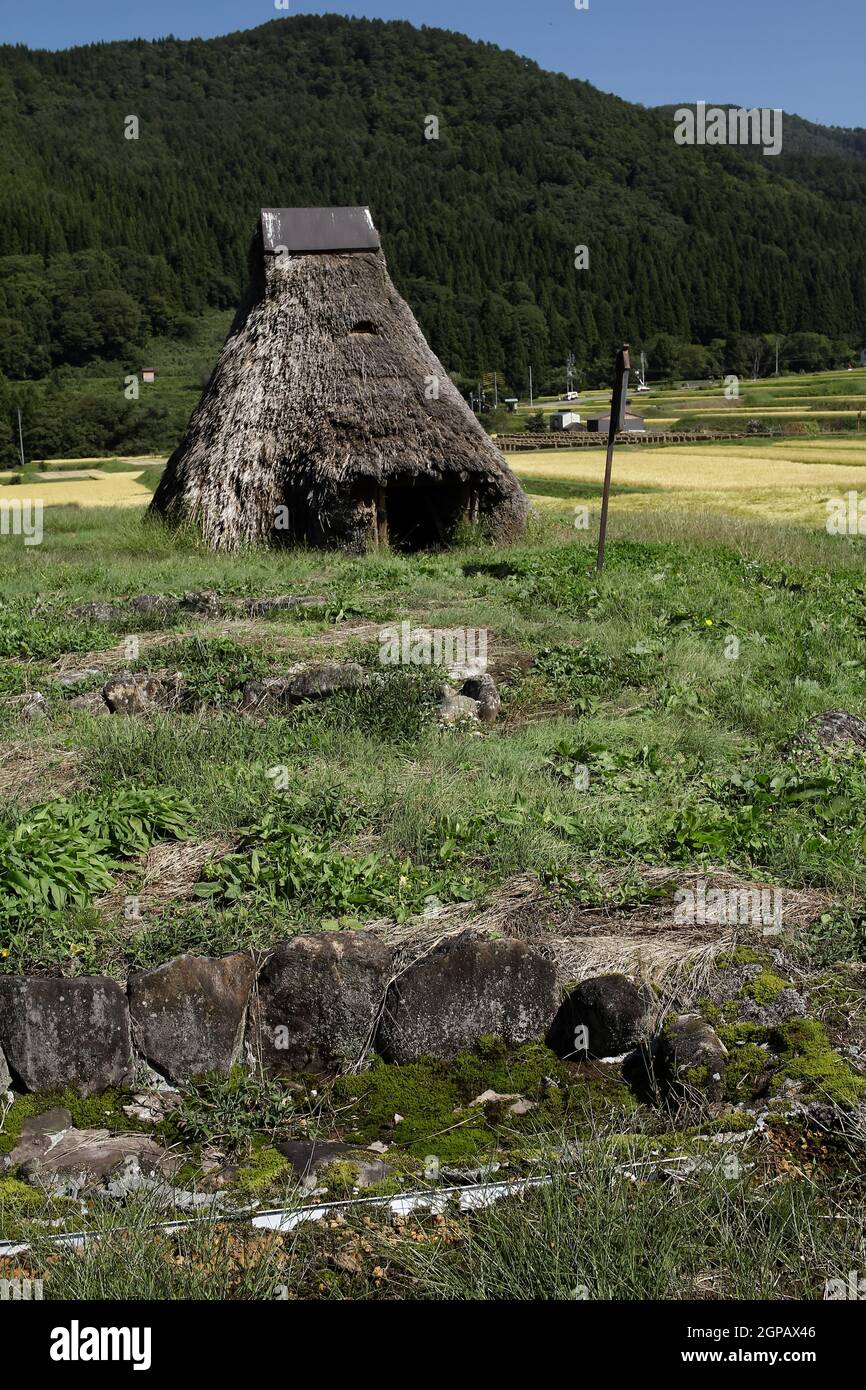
x: 783, y: 482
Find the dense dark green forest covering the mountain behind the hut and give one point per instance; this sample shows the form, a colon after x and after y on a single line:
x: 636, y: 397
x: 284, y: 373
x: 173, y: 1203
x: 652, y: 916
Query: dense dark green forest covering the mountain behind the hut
x: 696, y: 254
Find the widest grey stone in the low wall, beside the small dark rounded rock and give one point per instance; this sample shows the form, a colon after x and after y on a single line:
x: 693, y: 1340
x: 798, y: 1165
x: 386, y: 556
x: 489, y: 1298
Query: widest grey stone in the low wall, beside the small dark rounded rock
x: 466, y: 989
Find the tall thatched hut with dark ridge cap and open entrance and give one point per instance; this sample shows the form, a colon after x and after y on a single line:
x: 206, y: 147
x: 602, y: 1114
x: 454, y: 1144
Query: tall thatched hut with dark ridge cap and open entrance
x: 329, y: 420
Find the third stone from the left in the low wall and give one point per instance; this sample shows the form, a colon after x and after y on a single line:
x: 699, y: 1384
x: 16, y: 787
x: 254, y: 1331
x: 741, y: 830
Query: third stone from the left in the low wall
x: 318, y: 1001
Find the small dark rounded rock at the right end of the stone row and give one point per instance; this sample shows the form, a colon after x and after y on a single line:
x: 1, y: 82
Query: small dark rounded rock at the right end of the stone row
x: 610, y: 1008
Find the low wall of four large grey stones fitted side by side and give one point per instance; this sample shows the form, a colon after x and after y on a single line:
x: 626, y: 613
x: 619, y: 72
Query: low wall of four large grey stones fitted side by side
x: 316, y: 1003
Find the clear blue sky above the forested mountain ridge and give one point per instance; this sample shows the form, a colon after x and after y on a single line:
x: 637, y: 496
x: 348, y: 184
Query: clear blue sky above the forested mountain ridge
x: 800, y: 55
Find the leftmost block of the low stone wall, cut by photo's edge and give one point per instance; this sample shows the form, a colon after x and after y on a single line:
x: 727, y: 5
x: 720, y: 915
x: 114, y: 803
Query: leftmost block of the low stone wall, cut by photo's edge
x: 59, y: 1033
